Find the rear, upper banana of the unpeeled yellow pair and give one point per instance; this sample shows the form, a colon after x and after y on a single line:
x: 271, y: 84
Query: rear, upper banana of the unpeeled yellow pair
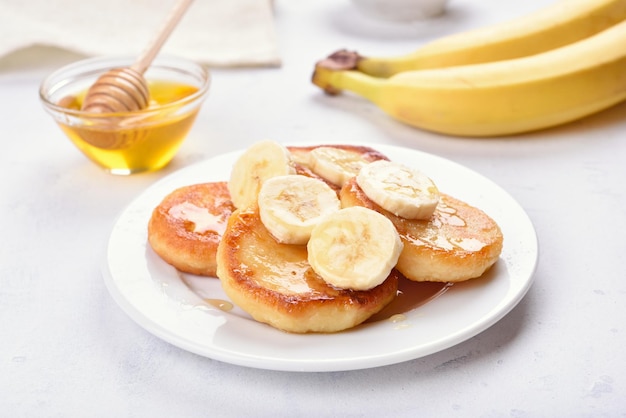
x: 562, y: 23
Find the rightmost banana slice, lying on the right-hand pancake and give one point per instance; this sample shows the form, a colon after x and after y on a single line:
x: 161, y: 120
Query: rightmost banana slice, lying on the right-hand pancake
x: 401, y: 190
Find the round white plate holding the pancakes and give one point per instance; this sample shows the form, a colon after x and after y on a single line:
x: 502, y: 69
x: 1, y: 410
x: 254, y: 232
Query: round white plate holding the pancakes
x: 174, y: 306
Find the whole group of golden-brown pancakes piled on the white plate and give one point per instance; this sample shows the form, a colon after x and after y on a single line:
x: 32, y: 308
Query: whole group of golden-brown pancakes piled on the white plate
x: 198, y: 230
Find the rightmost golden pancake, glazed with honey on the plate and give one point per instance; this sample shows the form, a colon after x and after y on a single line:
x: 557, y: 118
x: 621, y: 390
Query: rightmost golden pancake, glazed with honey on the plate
x: 459, y: 242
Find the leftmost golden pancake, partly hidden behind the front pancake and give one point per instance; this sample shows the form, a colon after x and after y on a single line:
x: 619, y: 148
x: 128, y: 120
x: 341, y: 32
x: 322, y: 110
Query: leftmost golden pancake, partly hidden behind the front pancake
x: 186, y: 227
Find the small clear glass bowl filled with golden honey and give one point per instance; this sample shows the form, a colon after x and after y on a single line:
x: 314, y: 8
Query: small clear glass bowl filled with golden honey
x: 128, y: 142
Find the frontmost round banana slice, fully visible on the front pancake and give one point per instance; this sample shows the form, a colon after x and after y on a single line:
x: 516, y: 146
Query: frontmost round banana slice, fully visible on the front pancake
x: 354, y: 248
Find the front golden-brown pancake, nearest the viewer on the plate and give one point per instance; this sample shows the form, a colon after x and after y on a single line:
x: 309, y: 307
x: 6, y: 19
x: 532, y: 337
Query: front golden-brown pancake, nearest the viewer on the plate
x: 275, y: 284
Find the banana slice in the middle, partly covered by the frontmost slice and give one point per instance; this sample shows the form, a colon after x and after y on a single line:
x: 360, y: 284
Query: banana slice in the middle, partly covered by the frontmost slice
x: 290, y: 206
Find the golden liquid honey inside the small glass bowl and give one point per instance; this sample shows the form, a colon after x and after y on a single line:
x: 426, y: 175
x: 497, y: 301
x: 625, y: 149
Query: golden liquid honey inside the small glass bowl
x: 126, y: 145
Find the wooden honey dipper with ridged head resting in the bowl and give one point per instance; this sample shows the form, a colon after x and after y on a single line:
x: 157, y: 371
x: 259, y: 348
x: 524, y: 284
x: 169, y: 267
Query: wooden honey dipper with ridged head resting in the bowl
x: 125, y: 89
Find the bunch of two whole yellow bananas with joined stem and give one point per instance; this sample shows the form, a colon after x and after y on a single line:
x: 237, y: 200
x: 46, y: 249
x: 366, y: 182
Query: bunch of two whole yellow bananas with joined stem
x: 566, y: 66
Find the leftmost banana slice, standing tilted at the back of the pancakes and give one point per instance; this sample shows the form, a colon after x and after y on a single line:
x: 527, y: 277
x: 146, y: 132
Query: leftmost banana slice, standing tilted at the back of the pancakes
x: 261, y: 161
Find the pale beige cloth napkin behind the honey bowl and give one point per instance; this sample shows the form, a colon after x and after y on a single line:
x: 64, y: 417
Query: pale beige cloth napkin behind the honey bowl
x: 214, y: 32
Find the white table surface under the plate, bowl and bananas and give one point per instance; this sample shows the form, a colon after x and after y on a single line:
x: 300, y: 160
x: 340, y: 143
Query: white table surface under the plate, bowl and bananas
x: 68, y: 350
